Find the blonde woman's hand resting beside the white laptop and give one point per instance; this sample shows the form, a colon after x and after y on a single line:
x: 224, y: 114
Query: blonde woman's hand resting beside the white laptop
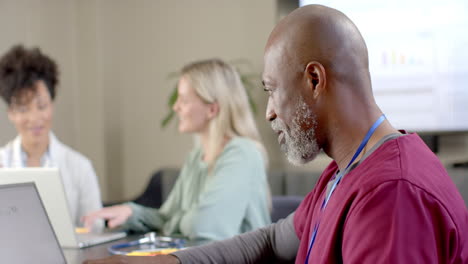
x: 115, y: 215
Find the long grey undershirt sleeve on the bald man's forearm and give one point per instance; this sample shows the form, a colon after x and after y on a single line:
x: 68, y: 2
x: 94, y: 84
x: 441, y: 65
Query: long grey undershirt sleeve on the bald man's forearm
x: 276, y: 243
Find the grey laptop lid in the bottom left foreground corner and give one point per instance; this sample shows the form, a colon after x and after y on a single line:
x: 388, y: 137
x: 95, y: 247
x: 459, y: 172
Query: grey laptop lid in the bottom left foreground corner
x: 27, y: 236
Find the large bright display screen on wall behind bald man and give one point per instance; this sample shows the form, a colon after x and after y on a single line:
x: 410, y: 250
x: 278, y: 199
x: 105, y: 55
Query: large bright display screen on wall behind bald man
x: 418, y: 55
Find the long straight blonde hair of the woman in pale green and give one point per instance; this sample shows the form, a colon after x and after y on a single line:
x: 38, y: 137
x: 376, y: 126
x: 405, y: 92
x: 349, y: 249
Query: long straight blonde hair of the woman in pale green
x: 215, y: 81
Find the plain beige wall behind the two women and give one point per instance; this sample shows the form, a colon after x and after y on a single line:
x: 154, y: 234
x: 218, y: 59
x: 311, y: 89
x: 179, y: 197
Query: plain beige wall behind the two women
x: 115, y: 56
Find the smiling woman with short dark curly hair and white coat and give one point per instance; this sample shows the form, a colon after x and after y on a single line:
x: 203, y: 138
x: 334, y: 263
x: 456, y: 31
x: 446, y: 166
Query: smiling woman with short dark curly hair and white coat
x: 28, y: 81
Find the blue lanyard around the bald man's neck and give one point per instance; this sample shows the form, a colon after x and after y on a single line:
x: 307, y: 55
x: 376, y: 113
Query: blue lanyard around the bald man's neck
x: 340, y: 176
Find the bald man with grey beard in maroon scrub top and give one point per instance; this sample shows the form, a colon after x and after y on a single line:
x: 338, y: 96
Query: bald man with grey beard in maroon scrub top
x: 385, y: 198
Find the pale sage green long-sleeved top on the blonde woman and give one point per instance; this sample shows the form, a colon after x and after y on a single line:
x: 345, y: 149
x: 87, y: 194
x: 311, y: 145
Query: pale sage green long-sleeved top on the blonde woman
x: 232, y: 199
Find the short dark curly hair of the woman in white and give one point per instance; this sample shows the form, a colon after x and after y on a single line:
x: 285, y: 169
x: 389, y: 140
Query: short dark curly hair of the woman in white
x: 21, y: 68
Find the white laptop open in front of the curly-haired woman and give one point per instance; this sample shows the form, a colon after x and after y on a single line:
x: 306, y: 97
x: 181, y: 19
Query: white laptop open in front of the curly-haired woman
x: 50, y: 187
